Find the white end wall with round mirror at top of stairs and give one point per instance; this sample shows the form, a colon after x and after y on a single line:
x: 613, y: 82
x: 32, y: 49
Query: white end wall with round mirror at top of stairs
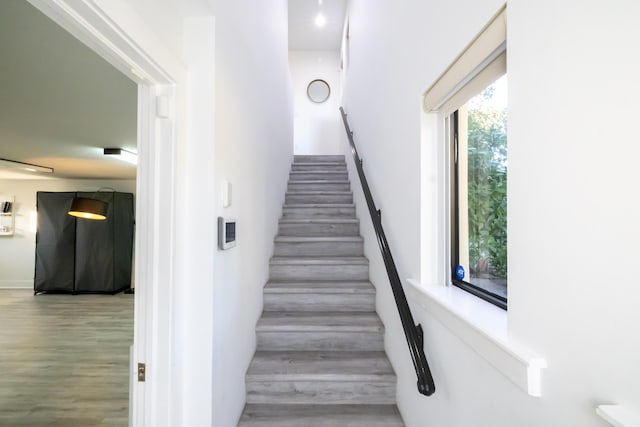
x: 316, y: 126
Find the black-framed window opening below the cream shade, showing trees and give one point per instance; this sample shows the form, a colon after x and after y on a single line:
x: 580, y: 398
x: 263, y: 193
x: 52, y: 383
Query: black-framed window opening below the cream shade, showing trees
x: 478, y: 196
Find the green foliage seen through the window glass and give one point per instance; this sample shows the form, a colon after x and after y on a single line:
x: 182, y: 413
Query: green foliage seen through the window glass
x: 487, y: 194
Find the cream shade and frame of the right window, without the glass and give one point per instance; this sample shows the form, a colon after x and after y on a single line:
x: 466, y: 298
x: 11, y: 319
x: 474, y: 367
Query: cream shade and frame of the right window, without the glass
x: 479, y: 64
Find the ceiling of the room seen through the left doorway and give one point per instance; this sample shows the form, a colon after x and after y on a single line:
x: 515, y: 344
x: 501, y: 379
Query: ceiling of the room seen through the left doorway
x: 60, y: 103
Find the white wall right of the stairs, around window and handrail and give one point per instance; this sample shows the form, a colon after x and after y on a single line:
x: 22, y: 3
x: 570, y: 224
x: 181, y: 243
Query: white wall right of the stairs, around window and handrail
x: 572, y: 226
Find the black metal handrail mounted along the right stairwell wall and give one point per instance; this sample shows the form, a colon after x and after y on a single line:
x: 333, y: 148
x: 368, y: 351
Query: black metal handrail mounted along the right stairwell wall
x: 412, y: 332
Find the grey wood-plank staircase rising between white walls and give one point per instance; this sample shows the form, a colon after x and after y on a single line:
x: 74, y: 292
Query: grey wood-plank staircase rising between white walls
x: 320, y: 359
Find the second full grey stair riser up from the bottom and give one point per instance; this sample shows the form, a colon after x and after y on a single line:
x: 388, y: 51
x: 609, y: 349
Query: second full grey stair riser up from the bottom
x: 320, y: 341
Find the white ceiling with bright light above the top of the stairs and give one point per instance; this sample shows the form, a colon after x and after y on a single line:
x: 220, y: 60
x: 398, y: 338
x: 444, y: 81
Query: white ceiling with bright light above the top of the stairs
x: 305, y: 35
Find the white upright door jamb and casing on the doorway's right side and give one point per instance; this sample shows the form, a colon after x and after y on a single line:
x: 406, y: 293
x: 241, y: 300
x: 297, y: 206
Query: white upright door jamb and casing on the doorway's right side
x: 153, y: 400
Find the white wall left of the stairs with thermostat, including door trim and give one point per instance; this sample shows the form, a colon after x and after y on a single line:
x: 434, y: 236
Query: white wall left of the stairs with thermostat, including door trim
x: 234, y: 121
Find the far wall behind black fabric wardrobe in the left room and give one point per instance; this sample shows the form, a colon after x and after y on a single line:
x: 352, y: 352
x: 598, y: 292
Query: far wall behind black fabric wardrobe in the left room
x: 17, y: 262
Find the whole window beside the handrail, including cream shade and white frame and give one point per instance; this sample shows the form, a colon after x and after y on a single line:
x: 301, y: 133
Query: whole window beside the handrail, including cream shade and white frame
x: 470, y: 99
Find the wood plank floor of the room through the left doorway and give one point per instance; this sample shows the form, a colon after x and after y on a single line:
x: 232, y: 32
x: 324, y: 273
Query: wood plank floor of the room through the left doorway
x: 64, y: 359
